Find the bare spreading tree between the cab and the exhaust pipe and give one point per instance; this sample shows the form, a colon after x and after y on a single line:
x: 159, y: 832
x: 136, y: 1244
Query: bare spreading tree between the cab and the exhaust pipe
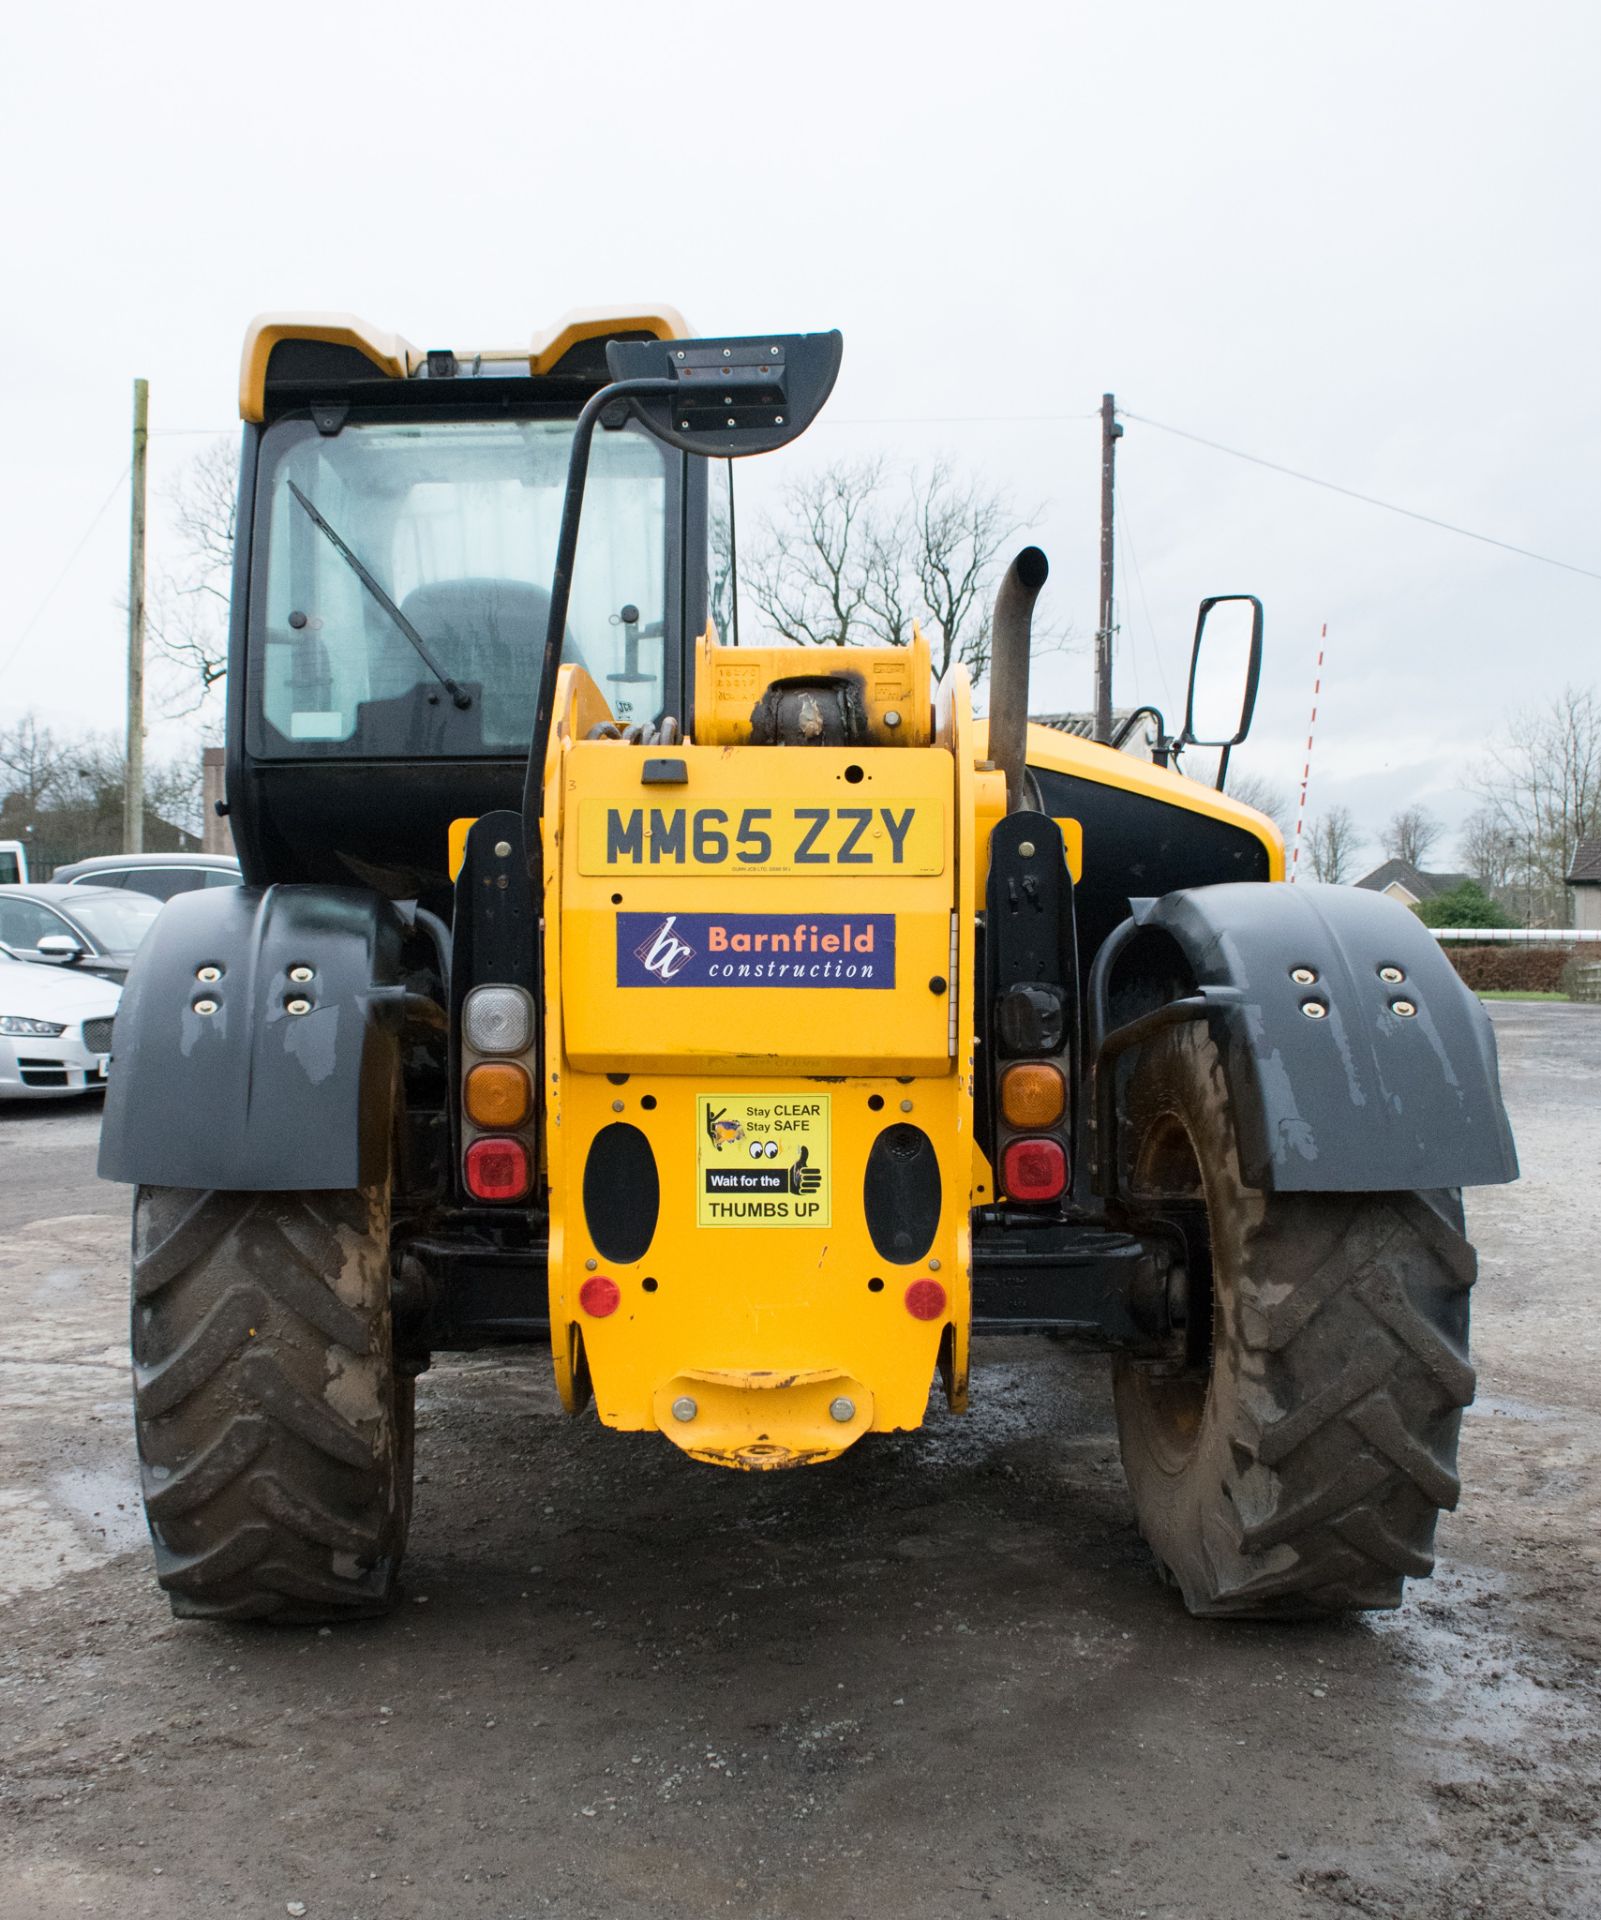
x: 855, y: 558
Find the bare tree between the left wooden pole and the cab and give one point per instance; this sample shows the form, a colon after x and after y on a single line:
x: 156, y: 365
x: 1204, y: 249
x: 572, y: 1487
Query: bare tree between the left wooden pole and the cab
x: 189, y: 608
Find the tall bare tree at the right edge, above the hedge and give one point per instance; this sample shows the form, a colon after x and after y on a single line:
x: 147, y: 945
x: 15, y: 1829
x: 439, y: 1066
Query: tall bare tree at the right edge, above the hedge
x: 1542, y: 786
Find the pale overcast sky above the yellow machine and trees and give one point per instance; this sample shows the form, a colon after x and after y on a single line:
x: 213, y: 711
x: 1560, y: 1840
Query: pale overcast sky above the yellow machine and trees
x: 1358, y: 241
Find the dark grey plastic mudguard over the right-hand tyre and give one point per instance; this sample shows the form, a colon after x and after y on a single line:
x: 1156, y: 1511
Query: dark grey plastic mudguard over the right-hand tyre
x: 1366, y: 1099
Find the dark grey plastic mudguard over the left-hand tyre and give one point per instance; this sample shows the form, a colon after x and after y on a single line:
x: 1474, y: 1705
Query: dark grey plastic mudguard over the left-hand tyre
x: 252, y: 1095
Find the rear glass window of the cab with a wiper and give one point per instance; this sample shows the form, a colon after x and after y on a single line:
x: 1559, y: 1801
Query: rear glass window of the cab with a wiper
x: 456, y: 525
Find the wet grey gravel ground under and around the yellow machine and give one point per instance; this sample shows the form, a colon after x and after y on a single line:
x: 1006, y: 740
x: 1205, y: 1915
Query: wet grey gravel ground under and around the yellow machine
x: 938, y: 1679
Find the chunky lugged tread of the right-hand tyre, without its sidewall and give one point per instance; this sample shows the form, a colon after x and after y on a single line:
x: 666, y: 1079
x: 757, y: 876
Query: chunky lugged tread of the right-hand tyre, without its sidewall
x: 1341, y: 1445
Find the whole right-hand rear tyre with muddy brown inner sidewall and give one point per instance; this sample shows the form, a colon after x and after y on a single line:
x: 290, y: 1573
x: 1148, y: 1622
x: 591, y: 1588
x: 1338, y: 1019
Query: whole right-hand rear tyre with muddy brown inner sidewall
x: 1299, y: 1462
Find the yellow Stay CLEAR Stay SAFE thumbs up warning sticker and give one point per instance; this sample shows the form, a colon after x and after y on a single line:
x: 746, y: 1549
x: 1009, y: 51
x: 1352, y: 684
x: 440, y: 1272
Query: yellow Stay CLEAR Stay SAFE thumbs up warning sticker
x: 761, y: 1161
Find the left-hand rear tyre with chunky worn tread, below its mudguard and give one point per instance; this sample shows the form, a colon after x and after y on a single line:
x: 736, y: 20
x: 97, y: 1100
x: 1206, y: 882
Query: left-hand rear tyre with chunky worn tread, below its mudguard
x: 274, y: 1431
